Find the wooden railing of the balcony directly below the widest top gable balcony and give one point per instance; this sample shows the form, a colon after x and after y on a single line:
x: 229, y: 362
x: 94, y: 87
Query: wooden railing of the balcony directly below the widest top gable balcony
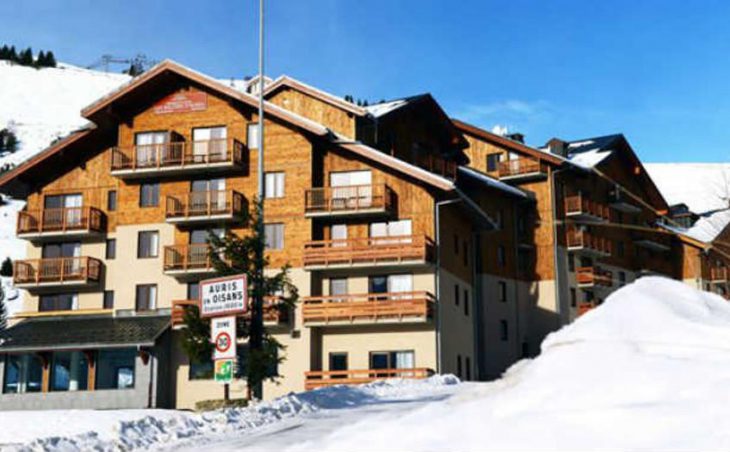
x: 204, y: 203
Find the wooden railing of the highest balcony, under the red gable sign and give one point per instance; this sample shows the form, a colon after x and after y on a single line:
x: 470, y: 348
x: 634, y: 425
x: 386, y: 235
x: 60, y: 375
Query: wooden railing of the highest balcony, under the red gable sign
x: 178, y: 154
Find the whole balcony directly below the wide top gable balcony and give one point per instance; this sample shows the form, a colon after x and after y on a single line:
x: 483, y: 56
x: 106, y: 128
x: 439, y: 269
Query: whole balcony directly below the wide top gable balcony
x: 206, y: 206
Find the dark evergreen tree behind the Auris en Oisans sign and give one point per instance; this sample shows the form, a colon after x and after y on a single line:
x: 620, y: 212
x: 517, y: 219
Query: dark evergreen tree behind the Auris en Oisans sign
x: 231, y: 255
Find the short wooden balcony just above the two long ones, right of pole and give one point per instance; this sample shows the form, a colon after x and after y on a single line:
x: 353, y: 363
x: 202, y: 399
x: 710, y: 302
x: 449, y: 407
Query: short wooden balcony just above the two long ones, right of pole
x: 357, y: 200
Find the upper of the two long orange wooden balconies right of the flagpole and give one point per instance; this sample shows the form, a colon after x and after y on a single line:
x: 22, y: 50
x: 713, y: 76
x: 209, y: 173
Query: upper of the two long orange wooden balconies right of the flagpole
x: 396, y: 251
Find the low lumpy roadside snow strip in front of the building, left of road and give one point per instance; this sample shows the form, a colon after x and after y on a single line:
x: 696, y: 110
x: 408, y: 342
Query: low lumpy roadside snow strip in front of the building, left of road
x: 139, y: 429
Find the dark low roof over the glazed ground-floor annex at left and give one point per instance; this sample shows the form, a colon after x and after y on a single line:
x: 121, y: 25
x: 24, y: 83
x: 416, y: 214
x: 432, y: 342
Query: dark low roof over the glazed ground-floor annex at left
x: 64, y: 333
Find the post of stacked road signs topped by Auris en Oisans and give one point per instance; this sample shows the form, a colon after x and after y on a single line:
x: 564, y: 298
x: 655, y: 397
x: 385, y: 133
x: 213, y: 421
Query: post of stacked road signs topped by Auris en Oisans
x: 221, y: 300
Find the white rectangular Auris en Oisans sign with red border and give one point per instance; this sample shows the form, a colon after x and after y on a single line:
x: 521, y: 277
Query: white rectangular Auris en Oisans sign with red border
x: 224, y: 296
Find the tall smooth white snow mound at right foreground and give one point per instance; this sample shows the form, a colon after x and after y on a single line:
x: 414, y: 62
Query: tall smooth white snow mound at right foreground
x: 648, y: 370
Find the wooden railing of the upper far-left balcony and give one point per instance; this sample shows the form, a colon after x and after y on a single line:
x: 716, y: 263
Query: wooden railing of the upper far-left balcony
x: 63, y: 219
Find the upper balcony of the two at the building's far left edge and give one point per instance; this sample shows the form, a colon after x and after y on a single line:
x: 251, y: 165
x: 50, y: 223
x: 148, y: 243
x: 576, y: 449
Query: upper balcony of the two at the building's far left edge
x: 61, y: 223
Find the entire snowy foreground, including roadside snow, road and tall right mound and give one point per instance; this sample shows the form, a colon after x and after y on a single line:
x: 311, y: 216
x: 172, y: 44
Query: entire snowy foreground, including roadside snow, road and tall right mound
x: 648, y: 370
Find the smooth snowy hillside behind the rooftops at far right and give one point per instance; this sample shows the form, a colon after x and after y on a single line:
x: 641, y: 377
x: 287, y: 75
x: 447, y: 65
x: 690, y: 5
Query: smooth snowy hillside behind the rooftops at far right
x: 703, y: 187
